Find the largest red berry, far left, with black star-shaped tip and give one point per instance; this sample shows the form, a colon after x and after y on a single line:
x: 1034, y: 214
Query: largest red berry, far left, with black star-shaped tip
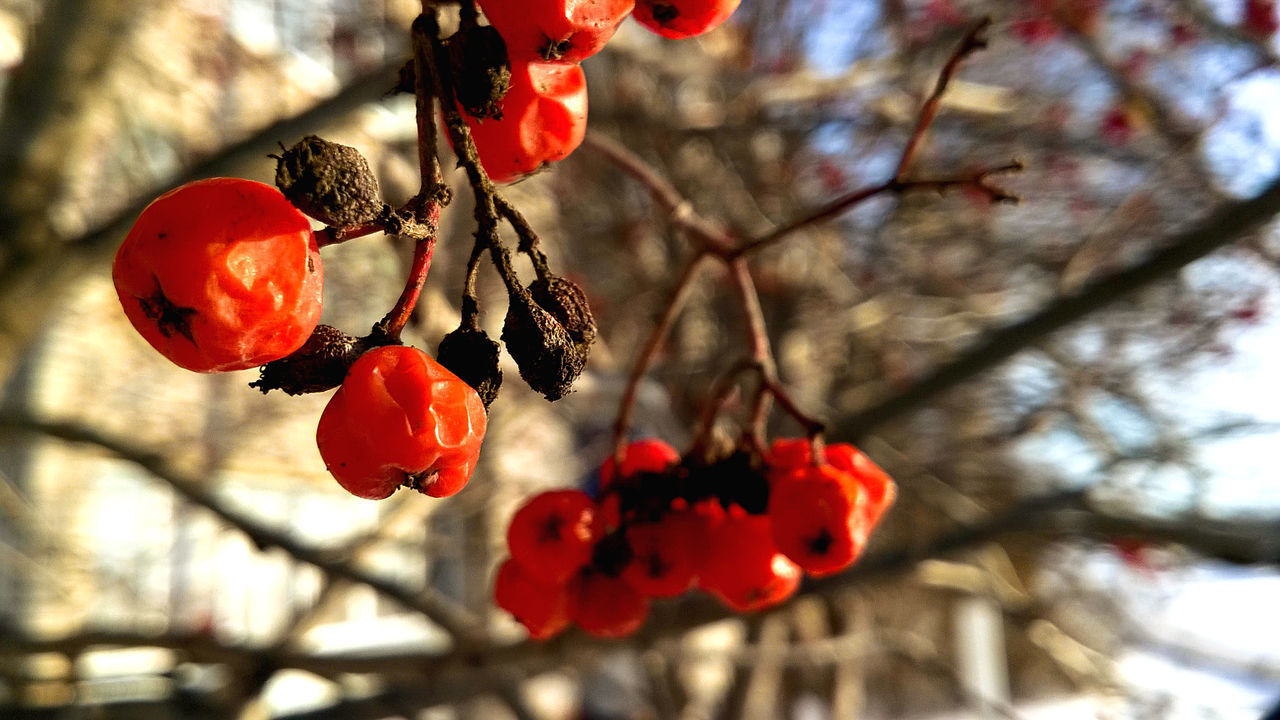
x: 221, y: 275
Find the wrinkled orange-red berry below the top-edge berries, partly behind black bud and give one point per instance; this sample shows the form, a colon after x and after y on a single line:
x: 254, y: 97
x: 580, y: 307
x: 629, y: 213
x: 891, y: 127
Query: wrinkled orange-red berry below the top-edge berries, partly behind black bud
x: 543, y: 120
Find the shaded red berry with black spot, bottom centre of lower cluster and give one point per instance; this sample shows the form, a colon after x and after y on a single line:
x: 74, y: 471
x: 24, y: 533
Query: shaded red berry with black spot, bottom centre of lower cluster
x: 665, y: 555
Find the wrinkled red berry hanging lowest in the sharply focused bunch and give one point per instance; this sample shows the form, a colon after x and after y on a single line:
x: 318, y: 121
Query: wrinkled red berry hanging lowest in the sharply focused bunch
x: 401, y: 418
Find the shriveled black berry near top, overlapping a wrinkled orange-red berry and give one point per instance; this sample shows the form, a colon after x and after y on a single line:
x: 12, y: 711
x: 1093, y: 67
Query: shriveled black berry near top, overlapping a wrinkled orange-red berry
x: 482, y: 72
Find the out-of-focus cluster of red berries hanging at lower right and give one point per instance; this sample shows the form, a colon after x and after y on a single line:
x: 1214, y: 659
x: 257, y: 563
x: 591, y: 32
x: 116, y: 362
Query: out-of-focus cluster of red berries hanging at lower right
x: 743, y: 528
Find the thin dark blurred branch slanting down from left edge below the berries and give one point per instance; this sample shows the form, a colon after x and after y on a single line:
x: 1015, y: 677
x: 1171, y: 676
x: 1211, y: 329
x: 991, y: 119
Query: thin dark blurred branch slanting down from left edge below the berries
x: 458, y: 621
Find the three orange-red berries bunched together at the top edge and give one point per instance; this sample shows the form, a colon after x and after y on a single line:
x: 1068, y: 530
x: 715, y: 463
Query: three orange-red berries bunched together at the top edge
x: 543, y: 116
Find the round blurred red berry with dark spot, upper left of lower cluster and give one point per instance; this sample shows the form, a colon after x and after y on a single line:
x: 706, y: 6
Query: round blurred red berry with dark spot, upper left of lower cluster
x: 554, y: 535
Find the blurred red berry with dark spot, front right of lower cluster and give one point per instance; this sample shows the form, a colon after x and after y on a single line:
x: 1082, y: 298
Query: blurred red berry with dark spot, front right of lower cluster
x: 819, y: 518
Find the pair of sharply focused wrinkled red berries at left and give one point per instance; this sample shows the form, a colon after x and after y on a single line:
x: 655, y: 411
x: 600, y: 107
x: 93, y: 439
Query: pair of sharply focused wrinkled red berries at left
x: 226, y: 275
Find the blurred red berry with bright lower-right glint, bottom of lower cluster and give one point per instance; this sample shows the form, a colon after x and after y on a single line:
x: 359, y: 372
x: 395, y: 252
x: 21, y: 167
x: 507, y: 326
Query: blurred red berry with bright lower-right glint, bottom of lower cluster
x: 744, y: 568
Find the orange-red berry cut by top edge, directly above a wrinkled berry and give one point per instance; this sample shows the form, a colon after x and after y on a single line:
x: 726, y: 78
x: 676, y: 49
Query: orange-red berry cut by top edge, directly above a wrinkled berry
x: 566, y: 31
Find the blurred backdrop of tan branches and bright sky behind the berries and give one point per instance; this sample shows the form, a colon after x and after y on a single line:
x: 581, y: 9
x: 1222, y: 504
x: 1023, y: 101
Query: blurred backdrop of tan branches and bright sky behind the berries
x: 1089, y: 522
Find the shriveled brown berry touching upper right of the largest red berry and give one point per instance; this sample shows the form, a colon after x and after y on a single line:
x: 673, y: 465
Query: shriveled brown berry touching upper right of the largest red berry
x: 328, y: 181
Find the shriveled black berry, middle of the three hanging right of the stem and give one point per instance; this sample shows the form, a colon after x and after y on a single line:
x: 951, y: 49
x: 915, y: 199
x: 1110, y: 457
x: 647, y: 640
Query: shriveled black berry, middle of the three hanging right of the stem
x: 547, y: 357
